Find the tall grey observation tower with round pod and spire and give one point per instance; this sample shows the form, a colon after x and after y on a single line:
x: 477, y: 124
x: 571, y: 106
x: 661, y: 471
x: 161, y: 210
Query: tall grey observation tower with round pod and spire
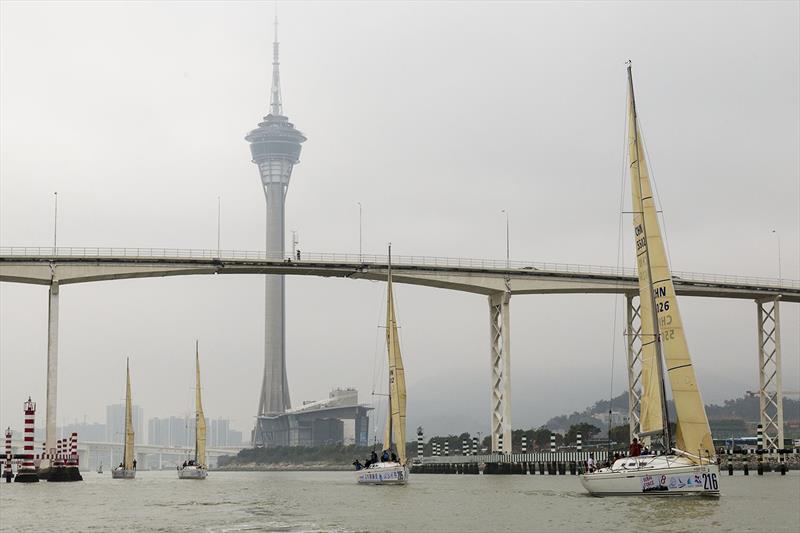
x: 275, y: 146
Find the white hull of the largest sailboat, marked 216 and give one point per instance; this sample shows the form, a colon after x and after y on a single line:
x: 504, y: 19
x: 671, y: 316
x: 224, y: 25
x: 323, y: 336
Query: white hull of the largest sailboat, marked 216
x: 654, y: 476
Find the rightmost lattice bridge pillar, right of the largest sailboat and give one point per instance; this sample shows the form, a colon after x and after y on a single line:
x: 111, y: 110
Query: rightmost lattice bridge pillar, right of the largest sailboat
x: 769, y: 372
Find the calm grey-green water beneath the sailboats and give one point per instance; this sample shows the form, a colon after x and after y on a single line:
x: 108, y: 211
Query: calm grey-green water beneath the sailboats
x: 331, y: 501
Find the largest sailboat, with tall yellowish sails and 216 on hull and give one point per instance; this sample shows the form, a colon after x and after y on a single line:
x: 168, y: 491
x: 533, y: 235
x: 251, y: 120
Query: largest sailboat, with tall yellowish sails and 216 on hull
x: 690, y: 466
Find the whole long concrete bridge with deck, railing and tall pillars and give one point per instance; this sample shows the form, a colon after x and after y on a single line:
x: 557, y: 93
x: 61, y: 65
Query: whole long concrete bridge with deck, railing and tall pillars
x: 498, y: 280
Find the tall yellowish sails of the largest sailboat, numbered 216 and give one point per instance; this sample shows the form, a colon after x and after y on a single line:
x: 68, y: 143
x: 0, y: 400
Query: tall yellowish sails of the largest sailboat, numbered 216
x: 693, y: 434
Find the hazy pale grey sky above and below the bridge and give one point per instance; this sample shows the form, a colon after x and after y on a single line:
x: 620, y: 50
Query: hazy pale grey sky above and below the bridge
x: 435, y: 116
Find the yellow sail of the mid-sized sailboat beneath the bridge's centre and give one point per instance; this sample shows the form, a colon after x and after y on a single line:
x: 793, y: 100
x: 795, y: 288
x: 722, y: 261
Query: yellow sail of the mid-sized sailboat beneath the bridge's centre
x: 396, y: 421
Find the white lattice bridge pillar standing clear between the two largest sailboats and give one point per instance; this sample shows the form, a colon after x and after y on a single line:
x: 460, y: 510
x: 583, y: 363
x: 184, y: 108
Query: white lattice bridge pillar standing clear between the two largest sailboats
x: 500, y: 332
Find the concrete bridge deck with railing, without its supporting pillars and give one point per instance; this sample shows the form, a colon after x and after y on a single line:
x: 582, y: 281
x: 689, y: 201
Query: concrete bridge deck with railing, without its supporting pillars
x: 481, y: 276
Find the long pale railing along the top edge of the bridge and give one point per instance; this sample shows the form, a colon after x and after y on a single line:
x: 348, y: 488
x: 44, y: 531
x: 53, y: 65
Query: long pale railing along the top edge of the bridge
x: 373, y: 259
